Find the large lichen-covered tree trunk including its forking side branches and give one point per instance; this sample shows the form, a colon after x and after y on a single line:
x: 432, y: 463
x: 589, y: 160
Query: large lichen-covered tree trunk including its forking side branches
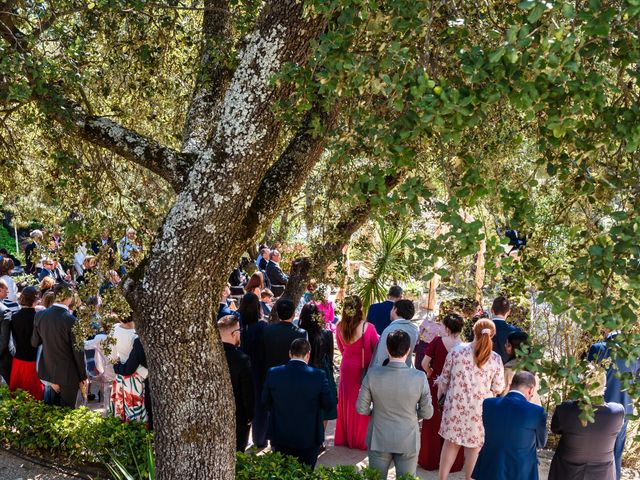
x: 229, y: 167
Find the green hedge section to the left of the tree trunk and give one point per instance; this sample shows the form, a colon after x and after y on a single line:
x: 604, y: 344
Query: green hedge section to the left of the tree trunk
x: 76, y: 437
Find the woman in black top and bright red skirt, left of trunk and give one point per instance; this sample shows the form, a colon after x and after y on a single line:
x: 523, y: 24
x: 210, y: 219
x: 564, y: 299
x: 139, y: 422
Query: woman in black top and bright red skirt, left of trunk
x: 23, y: 371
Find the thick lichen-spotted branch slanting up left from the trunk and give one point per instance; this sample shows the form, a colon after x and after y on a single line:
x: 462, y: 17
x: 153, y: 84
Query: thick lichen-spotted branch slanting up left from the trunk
x: 104, y: 132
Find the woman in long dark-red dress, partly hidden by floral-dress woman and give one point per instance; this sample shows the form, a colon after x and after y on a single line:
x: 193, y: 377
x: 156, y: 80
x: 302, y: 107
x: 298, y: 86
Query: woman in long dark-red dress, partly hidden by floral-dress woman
x: 435, y: 354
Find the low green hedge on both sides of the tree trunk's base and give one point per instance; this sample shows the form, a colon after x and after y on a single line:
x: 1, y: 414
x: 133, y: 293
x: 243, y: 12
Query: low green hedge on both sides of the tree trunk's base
x: 82, y: 437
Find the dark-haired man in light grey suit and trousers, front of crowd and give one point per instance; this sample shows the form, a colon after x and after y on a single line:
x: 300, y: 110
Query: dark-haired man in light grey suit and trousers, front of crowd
x: 400, y: 397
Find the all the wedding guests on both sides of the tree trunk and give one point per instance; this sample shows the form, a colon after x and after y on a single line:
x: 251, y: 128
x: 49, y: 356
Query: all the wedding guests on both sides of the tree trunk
x: 409, y: 393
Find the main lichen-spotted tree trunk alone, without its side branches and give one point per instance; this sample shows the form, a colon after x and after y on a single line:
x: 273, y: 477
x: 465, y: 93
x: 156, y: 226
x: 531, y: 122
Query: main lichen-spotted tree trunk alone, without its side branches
x: 177, y: 297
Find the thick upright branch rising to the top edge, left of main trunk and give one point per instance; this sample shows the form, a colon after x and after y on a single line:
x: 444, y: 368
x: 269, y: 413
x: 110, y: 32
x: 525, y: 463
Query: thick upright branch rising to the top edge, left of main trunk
x: 213, y: 78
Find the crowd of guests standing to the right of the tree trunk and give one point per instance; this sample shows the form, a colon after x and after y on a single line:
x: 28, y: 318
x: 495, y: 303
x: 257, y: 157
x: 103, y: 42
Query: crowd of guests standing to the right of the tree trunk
x: 458, y: 404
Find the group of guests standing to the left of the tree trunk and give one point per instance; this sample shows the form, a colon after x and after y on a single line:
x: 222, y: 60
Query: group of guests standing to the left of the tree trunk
x: 39, y: 351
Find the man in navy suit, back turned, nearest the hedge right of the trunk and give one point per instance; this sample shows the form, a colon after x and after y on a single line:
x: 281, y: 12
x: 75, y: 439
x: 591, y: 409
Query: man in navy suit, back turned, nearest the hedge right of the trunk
x: 295, y: 395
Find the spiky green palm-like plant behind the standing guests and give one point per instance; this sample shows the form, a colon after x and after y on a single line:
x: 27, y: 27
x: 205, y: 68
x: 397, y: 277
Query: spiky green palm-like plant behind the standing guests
x: 387, y: 263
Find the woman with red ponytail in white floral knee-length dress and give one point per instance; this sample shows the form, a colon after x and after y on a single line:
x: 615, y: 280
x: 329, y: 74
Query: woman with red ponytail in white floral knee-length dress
x: 471, y: 373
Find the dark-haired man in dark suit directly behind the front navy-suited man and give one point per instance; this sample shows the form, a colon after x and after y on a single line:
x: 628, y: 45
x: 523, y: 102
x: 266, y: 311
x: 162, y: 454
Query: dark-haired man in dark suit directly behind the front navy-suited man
x: 277, y: 337
